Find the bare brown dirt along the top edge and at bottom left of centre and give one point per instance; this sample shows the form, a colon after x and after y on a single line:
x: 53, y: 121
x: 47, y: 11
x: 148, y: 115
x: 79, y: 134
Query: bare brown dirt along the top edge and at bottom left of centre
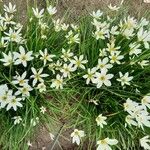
x: 76, y: 8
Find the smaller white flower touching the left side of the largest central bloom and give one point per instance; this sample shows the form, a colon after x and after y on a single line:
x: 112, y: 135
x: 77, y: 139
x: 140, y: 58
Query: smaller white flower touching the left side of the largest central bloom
x: 90, y: 76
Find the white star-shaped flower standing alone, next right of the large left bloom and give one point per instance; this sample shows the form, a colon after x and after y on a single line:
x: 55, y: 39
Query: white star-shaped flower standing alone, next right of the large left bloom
x: 45, y: 56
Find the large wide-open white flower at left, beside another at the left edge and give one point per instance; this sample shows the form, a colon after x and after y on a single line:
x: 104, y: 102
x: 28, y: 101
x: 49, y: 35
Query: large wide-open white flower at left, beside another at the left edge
x: 22, y: 57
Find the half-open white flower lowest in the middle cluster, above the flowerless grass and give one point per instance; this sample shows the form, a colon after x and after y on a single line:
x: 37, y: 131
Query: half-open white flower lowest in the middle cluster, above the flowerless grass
x: 58, y: 82
